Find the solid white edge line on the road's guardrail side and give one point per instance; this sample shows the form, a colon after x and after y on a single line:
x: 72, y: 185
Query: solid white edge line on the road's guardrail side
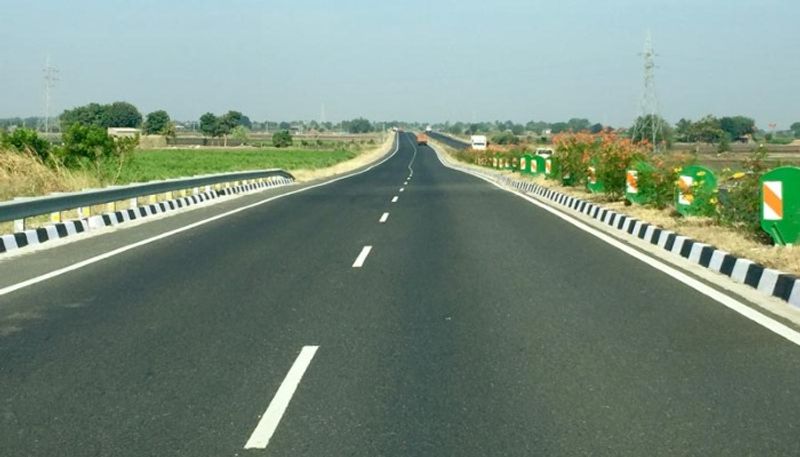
x: 112, y: 253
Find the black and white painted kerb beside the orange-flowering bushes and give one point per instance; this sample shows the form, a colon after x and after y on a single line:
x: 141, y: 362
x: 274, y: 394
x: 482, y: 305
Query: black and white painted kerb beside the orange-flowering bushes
x: 768, y: 281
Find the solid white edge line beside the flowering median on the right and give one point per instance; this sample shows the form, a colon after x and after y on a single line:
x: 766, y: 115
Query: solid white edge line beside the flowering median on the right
x: 726, y: 300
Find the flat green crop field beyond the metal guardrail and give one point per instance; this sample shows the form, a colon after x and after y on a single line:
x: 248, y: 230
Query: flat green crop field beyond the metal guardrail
x: 148, y: 165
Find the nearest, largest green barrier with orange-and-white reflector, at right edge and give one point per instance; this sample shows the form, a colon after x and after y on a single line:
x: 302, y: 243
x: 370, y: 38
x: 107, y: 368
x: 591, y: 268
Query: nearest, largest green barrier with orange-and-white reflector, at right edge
x: 780, y: 204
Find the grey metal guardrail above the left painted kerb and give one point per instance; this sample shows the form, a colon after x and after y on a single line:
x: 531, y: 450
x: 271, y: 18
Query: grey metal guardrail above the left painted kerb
x: 20, y: 209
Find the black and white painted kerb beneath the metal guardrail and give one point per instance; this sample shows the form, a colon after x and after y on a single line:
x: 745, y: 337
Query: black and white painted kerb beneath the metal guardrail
x: 60, y: 230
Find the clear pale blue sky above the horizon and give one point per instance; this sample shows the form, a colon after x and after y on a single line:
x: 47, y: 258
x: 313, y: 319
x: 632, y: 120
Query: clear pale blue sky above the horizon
x: 428, y: 60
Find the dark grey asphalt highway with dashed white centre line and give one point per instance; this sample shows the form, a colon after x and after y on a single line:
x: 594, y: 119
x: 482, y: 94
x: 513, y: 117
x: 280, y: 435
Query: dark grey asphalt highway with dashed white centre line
x: 383, y: 316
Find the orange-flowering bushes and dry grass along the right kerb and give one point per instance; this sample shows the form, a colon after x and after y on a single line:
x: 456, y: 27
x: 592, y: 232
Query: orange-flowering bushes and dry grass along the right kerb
x: 727, y: 217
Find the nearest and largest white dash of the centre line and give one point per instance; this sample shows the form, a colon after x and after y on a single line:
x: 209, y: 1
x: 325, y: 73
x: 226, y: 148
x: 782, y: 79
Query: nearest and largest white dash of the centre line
x: 260, y: 437
